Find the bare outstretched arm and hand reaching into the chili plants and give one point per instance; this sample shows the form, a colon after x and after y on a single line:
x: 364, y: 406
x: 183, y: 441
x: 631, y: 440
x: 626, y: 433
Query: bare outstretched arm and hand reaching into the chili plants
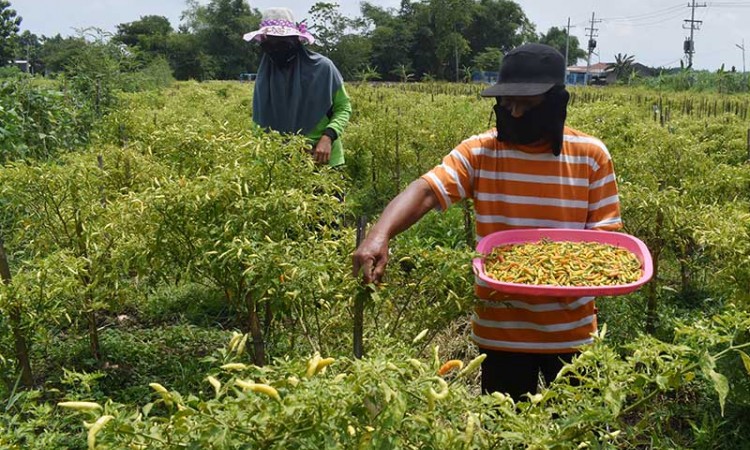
x: 402, y: 212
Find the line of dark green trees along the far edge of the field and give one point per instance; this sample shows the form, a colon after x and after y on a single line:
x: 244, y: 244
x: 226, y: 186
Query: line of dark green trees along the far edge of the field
x: 424, y: 39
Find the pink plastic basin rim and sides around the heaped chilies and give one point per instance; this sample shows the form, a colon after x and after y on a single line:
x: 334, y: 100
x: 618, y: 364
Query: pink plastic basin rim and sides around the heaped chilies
x: 626, y: 241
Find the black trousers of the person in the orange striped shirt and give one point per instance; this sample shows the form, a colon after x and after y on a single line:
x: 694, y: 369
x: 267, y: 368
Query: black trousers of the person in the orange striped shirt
x: 517, y: 374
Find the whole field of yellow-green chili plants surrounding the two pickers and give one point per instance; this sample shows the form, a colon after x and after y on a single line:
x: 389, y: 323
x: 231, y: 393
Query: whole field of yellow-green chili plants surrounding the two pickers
x: 182, y: 280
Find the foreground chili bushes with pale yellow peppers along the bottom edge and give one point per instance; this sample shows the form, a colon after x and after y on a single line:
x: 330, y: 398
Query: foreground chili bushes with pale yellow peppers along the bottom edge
x: 394, y: 401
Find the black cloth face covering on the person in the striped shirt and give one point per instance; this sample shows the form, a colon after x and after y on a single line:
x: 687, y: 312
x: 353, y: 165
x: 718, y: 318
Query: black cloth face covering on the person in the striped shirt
x: 543, y: 122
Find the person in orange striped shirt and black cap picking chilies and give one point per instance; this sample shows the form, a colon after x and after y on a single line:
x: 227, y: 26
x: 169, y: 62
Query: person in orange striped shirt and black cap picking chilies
x: 531, y: 171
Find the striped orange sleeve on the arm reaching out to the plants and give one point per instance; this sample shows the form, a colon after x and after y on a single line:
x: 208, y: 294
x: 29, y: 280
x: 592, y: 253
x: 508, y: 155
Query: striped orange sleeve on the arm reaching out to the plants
x: 452, y: 181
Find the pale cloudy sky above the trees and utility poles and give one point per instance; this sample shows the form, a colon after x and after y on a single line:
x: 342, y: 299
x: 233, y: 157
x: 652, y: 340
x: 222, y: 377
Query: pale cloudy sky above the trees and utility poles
x: 650, y: 30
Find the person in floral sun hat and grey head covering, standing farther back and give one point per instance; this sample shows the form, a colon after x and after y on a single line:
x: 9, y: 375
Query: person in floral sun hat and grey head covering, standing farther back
x: 297, y: 90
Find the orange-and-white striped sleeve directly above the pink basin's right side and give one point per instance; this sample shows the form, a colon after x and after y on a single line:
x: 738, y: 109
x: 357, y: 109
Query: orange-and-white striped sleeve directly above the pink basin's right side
x: 604, y: 201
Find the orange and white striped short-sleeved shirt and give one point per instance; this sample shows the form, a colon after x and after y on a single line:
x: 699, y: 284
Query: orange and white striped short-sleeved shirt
x: 526, y: 186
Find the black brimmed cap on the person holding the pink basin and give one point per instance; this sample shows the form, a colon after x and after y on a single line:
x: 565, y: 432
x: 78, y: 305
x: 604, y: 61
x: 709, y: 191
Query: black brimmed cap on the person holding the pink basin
x: 531, y: 69
